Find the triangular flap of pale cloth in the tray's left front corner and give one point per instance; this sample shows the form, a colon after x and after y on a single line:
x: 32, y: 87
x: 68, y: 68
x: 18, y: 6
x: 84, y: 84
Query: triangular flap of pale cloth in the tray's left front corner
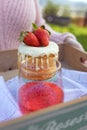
x: 9, y: 108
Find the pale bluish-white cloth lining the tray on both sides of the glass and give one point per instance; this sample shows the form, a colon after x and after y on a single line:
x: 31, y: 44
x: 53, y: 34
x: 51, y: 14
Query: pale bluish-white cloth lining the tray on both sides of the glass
x: 74, y: 86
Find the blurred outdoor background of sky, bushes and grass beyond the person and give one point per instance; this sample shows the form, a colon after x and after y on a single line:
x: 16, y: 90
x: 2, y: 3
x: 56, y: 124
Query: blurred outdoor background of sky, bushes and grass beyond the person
x: 67, y: 16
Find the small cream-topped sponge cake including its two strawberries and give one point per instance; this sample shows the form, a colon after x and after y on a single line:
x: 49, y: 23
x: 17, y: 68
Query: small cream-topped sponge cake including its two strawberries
x: 37, y: 56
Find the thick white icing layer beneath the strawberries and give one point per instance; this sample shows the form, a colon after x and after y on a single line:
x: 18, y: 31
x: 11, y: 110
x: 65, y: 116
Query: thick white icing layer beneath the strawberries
x: 52, y: 48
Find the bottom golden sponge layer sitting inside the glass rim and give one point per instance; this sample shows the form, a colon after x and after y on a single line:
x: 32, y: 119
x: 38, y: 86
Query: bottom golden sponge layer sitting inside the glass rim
x: 42, y: 74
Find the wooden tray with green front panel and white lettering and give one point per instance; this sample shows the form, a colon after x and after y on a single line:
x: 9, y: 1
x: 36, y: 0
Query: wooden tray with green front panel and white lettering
x: 66, y: 116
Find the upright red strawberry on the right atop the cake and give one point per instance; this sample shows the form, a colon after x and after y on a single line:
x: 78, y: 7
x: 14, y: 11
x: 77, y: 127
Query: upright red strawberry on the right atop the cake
x: 43, y: 35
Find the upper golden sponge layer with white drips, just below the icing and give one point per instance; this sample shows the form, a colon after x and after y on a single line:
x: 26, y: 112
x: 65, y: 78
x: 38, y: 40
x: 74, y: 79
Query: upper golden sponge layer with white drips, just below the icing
x: 37, y: 63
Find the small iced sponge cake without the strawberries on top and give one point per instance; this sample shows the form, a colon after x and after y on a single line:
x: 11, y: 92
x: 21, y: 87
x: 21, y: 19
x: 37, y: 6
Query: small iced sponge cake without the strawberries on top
x: 37, y: 63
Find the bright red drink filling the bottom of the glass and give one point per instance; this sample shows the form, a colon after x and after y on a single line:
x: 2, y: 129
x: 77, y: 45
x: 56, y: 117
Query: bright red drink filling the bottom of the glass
x: 35, y: 95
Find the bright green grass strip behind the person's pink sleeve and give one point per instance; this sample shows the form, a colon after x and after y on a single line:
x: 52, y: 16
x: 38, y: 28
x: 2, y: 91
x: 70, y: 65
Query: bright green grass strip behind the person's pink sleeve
x: 79, y: 32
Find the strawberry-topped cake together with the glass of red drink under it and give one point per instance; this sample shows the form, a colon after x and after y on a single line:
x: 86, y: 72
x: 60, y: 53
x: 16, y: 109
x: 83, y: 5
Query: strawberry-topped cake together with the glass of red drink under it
x: 39, y: 69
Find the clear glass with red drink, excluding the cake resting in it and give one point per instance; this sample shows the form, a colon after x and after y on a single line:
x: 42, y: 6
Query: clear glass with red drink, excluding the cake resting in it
x: 34, y: 95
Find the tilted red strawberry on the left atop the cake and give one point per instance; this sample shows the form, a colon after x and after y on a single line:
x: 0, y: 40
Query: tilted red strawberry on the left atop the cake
x: 29, y: 39
